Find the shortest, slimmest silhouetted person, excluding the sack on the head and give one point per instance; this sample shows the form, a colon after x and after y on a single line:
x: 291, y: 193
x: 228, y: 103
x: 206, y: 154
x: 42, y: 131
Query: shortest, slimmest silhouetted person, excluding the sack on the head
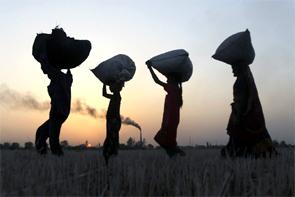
x: 113, y: 119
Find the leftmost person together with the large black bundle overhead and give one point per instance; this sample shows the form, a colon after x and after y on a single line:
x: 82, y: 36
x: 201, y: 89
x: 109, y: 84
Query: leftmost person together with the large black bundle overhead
x: 54, y: 52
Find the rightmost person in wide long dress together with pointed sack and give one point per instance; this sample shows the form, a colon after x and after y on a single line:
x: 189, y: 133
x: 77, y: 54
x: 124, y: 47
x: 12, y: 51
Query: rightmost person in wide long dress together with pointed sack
x: 246, y: 126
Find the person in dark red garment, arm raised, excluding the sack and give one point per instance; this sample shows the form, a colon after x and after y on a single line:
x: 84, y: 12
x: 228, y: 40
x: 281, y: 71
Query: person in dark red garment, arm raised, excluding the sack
x: 166, y: 136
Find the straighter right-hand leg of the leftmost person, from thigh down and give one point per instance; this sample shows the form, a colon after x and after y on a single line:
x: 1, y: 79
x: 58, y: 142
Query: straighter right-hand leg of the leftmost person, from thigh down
x: 55, y: 124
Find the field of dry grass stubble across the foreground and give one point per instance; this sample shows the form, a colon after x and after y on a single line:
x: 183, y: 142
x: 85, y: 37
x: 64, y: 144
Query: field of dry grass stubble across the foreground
x: 145, y: 173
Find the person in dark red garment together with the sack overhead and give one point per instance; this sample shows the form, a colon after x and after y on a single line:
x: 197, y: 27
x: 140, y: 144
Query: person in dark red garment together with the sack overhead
x: 177, y: 67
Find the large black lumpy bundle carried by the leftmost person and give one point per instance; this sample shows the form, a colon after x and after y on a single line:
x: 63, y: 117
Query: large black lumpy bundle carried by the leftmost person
x: 62, y: 51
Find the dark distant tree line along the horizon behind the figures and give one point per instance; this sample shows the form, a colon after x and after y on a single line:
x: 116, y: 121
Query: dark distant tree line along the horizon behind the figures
x: 131, y: 143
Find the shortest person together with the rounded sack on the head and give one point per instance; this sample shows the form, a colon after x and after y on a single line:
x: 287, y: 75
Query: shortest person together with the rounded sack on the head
x: 114, y: 72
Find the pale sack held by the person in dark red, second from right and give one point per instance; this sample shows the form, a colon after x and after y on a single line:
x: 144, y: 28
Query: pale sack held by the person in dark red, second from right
x: 174, y: 62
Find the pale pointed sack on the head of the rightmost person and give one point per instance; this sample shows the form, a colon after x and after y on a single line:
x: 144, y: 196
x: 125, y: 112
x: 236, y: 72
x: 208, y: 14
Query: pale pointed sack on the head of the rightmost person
x: 236, y: 49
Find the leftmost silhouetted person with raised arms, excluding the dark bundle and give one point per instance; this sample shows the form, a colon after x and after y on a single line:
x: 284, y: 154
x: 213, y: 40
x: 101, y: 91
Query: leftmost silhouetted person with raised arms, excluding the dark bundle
x: 59, y: 91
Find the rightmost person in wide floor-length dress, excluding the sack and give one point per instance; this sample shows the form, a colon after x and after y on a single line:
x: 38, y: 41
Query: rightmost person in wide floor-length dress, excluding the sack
x: 246, y: 127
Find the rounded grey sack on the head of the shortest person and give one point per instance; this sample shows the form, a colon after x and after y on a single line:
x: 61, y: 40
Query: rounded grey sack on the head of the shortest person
x: 118, y: 68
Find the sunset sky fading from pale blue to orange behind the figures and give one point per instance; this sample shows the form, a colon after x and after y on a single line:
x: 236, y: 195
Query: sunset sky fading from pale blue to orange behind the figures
x: 142, y: 29
